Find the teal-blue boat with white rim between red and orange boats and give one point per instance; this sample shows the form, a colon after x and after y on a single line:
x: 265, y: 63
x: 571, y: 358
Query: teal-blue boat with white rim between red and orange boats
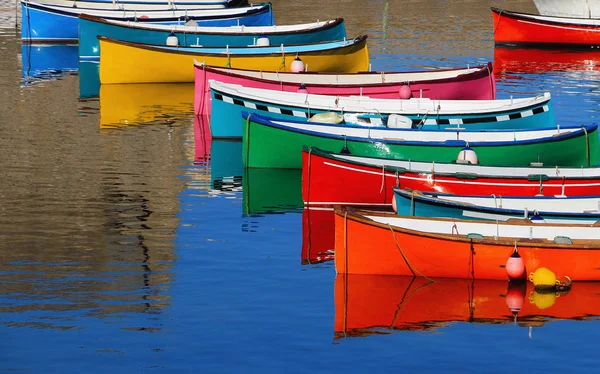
x: 540, y: 209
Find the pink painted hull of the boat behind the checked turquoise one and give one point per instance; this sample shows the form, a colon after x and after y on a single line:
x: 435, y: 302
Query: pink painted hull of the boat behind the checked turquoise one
x: 476, y: 85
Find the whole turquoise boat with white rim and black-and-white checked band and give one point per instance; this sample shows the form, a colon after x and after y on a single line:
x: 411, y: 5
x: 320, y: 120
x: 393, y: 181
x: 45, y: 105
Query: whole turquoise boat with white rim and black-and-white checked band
x: 229, y: 100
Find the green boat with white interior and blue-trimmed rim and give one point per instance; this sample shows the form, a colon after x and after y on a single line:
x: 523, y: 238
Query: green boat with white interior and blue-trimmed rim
x: 270, y: 143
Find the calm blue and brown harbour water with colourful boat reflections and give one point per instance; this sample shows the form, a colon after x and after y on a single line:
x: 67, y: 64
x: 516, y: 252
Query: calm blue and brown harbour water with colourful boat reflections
x: 130, y: 242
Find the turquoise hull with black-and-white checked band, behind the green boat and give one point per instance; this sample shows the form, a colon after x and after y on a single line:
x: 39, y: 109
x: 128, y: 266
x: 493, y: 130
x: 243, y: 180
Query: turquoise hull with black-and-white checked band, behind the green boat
x: 228, y: 106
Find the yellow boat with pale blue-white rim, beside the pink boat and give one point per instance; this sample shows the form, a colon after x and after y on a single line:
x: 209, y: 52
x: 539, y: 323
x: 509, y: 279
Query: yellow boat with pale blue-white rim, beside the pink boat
x: 127, y: 62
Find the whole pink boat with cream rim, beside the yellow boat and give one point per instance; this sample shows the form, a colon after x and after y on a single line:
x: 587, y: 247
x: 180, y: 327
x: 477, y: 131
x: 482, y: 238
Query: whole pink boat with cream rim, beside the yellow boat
x: 474, y: 83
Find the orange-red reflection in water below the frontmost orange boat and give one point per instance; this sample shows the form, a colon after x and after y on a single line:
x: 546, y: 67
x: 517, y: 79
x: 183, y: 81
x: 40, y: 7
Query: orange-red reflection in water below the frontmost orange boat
x: 376, y: 304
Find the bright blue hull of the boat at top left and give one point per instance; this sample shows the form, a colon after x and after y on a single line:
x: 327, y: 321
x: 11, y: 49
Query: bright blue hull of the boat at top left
x: 39, y: 23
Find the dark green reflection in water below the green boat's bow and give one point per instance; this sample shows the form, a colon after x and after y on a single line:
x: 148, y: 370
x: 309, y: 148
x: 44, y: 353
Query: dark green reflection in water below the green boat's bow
x: 271, y: 190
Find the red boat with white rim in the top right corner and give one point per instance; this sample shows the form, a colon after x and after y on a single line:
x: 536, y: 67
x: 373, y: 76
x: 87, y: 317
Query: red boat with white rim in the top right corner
x: 525, y: 29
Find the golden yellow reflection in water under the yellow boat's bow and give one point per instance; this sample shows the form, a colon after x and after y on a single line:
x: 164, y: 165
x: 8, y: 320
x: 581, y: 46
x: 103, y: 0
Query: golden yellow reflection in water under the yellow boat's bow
x: 127, y: 104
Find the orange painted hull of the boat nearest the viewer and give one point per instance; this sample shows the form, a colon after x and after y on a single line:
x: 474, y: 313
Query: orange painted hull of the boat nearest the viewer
x: 363, y: 246
